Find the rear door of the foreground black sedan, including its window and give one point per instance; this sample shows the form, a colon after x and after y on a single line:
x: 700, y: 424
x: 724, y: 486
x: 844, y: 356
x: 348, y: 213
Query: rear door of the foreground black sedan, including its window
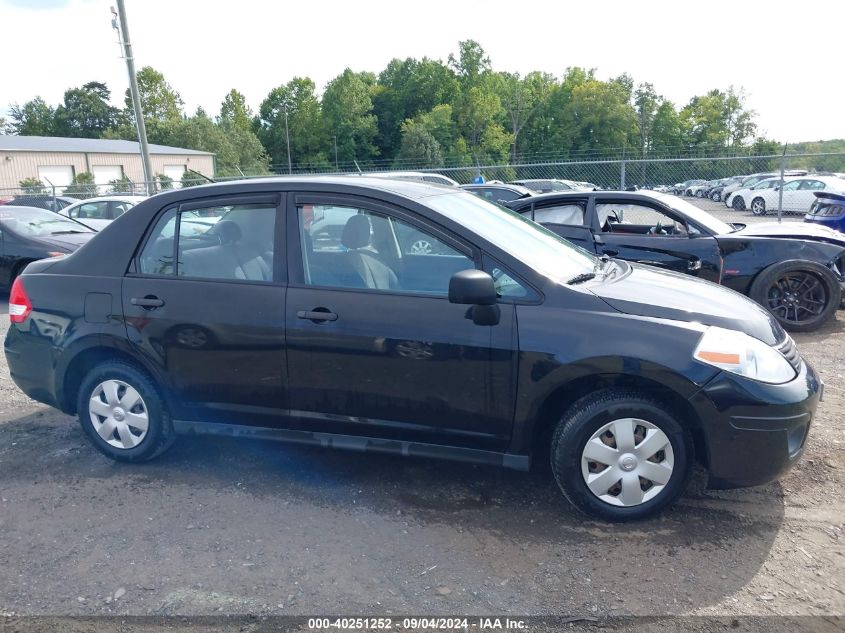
x: 206, y: 303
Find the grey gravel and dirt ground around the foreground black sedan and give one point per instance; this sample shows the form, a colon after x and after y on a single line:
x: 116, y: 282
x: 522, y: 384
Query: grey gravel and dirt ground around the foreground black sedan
x: 223, y: 526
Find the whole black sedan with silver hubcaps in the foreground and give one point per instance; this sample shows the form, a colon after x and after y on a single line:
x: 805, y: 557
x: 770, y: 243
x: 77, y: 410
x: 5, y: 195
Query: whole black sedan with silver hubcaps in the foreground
x: 502, y: 344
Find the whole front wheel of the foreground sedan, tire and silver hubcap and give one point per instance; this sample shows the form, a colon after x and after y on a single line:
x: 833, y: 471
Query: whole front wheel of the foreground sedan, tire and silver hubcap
x: 620, y: 456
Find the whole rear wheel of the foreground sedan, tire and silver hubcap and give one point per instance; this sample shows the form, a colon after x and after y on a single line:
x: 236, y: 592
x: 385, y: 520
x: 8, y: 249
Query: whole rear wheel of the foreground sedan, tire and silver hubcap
x: 123, y: 413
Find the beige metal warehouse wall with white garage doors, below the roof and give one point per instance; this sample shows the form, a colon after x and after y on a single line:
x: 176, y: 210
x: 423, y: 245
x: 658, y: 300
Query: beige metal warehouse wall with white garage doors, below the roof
x: 16, y: 166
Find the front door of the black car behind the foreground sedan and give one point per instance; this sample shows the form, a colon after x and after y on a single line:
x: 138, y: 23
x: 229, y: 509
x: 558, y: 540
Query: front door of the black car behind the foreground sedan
x: 639, y: 232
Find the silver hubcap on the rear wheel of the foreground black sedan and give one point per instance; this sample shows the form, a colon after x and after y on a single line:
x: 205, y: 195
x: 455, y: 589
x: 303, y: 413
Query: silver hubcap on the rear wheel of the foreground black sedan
x: 118, y: 414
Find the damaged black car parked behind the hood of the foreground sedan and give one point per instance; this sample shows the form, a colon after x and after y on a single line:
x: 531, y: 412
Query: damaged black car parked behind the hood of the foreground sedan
x: 794, y: 270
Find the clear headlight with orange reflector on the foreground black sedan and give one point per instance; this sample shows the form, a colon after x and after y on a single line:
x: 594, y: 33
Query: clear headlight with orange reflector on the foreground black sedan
x: 741, y: 354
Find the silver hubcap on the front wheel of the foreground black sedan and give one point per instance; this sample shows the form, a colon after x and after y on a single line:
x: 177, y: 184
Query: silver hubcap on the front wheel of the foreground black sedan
x: 627, y: 462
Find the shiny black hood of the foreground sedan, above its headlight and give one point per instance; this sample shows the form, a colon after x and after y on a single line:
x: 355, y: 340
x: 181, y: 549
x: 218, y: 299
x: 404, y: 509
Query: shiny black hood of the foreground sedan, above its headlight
x: 650, y: 292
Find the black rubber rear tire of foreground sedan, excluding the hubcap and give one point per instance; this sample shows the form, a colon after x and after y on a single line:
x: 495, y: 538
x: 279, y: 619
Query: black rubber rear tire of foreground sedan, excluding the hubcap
x: 160, y: 434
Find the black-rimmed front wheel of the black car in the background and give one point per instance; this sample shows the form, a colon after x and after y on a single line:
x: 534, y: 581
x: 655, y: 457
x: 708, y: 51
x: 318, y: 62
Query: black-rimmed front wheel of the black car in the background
x: 771, y: 285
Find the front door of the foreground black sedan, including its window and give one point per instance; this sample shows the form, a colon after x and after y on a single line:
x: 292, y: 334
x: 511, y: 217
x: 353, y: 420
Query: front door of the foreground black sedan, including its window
x: 374, y: 346
